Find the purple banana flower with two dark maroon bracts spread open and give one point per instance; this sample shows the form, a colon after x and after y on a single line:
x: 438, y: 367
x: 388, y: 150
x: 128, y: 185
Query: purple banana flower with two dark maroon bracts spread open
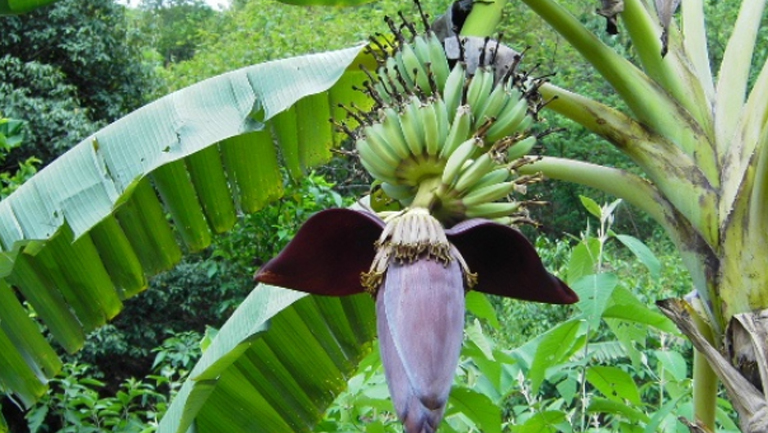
x: 418, y: 273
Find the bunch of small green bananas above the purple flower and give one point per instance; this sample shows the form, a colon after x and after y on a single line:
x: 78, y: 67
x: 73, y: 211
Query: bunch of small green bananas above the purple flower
x: 437, y: 124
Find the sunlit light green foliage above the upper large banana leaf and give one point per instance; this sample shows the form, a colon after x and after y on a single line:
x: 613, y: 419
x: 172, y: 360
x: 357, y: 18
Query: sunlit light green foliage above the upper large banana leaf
x: 255, y: 31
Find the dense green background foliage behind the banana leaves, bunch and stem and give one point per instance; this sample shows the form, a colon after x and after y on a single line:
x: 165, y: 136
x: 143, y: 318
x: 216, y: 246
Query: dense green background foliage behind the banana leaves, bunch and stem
x: 84, y: 64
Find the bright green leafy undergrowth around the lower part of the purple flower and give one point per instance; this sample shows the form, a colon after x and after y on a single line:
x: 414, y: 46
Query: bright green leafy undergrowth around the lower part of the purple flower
x: 608, y: 364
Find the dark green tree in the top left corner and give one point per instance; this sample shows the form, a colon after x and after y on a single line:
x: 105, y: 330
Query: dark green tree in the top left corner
x: 69, y: 69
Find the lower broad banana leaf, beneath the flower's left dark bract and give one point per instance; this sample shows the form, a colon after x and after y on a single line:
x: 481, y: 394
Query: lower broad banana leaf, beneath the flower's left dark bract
x: 272, y: 366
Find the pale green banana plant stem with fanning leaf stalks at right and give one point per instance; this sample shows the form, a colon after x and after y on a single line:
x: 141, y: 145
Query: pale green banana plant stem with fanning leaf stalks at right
x: 701, y: 138
